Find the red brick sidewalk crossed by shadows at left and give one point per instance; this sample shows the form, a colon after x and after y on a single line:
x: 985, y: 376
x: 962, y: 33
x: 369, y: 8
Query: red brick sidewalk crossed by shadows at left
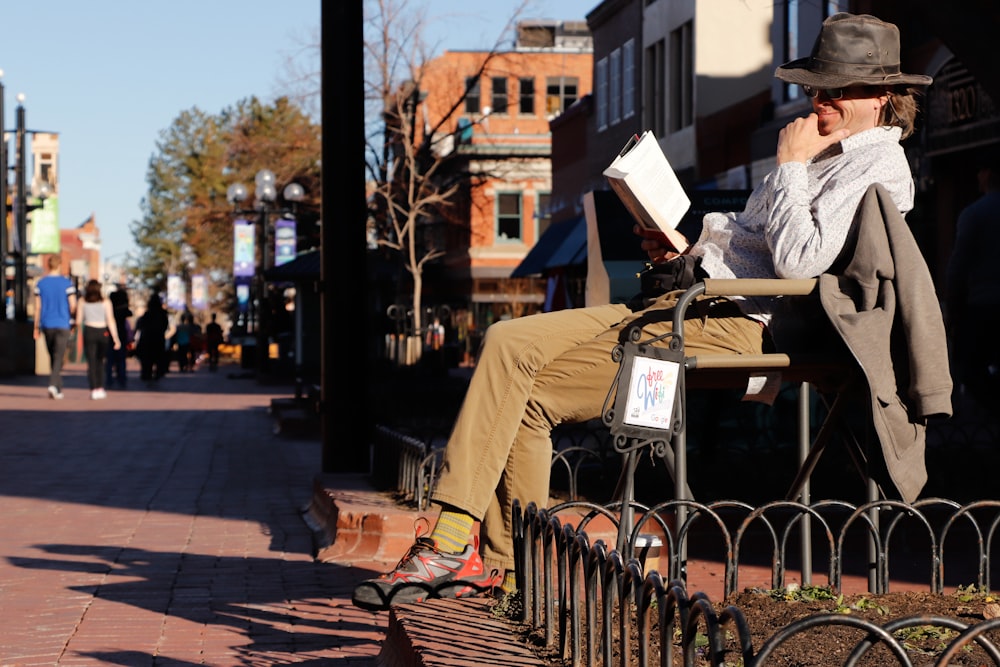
x: 164, y: 526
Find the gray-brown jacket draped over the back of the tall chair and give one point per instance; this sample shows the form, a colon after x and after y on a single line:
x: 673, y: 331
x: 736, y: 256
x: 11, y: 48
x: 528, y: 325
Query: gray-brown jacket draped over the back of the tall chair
x: 884, y: 307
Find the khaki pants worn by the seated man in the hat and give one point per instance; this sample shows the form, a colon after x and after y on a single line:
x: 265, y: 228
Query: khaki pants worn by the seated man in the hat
x: 537, y: 372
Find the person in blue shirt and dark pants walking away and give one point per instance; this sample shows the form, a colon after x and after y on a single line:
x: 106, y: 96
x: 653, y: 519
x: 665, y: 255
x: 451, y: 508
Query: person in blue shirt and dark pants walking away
x: 55, y: 301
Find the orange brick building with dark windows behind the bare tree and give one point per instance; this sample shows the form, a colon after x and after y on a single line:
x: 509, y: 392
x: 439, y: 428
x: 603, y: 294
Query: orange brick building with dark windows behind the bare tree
x: 499, y: 135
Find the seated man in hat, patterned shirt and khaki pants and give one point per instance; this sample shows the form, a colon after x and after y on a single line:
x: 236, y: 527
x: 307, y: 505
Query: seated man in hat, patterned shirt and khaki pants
x: 542, y: 370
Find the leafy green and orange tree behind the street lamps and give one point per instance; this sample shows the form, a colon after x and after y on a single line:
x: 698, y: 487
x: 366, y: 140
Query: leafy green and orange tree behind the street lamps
x: 186, y: 220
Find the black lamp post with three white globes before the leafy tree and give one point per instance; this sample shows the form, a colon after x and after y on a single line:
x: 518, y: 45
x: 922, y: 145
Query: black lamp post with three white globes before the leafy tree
x: 265, y: 203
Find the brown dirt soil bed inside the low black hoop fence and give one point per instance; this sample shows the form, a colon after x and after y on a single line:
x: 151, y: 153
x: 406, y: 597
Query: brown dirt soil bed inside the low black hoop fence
x: 768, y: 612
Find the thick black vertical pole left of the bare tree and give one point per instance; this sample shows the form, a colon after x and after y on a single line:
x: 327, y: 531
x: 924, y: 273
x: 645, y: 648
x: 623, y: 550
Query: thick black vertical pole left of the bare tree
x: 342, y: 241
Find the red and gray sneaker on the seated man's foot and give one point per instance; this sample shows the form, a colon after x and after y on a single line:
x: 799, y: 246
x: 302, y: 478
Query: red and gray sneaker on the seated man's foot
x: 426, y: 572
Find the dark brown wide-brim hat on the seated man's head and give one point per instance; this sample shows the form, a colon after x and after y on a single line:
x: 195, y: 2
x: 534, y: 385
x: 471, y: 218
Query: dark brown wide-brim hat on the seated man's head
x: 852, y: 50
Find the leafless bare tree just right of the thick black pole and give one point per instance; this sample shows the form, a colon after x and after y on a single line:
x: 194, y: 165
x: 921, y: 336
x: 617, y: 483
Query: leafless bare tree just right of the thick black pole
x: 413, y: 179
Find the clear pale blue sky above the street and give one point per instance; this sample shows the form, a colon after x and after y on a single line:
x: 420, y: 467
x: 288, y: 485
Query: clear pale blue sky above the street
x: 109, y: 76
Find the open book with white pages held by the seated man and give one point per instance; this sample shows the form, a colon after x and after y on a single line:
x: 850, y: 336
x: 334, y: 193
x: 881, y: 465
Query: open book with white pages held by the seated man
x: 646, y: 183
